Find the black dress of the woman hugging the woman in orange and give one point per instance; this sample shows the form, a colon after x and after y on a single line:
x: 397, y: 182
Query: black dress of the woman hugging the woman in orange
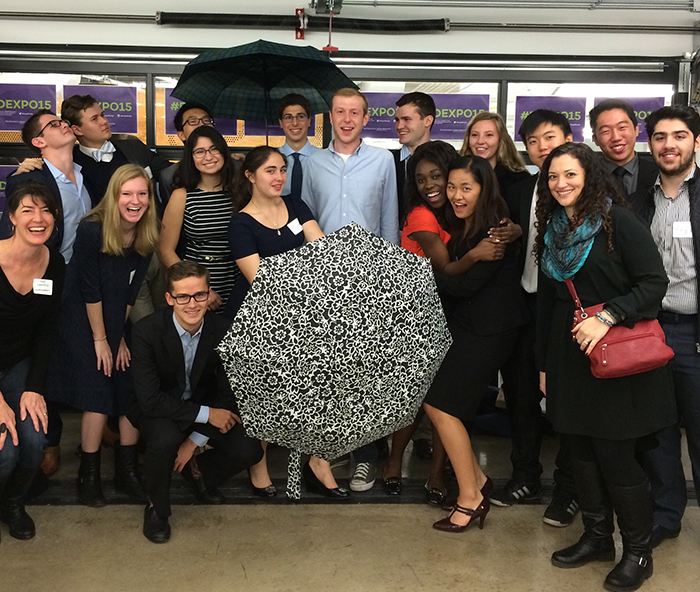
x: 484, y: 308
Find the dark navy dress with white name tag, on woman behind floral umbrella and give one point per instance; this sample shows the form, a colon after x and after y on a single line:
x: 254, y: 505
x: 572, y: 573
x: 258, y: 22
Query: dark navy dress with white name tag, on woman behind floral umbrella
x: 247, y: 236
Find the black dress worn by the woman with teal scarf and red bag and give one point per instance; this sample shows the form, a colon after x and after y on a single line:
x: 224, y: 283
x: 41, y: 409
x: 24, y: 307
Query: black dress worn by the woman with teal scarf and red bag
x: 632, y: 282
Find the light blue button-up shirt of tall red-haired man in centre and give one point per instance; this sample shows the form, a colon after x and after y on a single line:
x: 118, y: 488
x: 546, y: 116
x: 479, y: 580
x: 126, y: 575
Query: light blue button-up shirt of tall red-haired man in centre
x: 361, y: 190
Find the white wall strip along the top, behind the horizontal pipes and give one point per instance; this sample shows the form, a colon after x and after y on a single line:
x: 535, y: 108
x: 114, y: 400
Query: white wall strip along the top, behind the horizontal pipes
x: 28, y: 31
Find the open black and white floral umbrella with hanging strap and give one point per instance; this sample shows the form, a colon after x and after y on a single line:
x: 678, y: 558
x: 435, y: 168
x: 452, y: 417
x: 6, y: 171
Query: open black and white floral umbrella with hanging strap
x: 335, y: 345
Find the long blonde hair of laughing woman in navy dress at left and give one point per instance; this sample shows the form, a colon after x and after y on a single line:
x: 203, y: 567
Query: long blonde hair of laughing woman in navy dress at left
x: 107, y: 214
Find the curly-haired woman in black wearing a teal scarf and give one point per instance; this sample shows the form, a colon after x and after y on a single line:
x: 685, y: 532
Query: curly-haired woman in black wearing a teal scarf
x: 584, y: 232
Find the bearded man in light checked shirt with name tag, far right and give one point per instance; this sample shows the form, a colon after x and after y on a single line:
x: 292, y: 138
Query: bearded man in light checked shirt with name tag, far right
x: 671, y: 208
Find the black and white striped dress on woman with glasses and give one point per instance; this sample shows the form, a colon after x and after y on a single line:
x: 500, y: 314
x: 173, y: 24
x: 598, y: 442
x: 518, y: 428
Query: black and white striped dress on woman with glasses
x: 205, y: 224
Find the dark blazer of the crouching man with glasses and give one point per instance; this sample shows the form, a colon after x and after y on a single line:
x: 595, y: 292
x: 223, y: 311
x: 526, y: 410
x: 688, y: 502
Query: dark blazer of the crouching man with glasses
x: 158, y: 365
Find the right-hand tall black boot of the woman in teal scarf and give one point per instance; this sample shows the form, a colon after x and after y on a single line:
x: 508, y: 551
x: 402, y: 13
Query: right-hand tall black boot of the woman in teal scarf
x: 635, y: 518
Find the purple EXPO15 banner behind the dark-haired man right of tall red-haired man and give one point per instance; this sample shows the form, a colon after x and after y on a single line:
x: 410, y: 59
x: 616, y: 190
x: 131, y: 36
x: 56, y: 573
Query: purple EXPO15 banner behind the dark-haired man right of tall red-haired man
x: 454, y: 112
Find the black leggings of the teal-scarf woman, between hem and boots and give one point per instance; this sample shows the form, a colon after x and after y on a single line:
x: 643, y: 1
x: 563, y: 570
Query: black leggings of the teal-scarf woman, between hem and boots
x: 617, y: 459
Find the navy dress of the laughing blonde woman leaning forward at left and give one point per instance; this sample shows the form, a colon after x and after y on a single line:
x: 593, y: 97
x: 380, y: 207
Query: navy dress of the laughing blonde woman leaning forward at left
x: 93, y: 276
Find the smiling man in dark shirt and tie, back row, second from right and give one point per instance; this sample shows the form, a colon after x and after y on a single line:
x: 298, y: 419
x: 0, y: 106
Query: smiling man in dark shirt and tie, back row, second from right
x: 615, y: 130
